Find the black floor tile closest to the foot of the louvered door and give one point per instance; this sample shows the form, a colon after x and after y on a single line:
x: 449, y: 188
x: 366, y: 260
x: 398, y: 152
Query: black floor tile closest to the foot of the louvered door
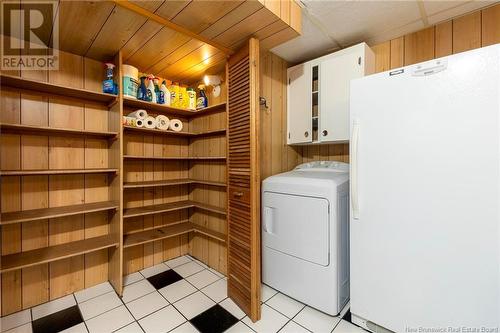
x: 214, y: 320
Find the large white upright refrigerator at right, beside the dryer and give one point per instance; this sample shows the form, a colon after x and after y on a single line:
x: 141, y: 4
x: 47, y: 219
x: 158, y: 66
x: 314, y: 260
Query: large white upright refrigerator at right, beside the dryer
x: 425, y: 196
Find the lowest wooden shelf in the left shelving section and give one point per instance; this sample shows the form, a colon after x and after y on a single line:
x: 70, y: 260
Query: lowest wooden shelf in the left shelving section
x: 15, y: 261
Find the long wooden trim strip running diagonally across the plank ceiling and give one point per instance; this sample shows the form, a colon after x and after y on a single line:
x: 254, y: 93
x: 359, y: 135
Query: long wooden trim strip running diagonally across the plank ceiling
x: 166, y: 23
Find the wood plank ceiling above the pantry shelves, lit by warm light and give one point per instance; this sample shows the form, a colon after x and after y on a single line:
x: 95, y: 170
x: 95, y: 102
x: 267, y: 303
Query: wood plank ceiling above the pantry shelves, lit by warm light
x: 98, y: 29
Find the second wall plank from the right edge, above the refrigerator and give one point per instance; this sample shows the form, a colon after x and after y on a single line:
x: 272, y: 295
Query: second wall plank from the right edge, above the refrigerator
x: 467, y: 32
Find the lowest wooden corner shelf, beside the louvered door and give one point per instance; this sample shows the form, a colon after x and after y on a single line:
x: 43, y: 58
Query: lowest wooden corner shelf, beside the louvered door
x: 169, y: 231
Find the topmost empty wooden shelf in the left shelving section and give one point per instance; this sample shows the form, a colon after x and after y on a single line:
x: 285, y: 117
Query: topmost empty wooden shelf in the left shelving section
x: 55, y: 89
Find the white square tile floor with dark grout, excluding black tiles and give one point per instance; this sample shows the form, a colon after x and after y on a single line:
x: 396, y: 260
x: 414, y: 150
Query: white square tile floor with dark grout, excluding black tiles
x: 145, y: 309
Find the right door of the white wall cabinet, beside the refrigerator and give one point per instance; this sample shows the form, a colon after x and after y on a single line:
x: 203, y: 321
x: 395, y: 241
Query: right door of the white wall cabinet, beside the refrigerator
x: 335, y: 79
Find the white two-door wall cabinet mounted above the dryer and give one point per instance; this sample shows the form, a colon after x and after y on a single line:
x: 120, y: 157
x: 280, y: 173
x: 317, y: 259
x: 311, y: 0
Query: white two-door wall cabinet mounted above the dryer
x: 318, y: 95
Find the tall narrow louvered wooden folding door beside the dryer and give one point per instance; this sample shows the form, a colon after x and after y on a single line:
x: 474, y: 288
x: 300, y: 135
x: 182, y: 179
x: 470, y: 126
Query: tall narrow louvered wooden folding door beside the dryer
x: 243, y: 178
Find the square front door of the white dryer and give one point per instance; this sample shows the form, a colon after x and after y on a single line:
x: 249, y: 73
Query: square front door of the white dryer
x: 298, y: 226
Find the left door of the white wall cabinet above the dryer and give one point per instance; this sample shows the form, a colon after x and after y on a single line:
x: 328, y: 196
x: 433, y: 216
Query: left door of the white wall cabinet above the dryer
x: 299, y: 104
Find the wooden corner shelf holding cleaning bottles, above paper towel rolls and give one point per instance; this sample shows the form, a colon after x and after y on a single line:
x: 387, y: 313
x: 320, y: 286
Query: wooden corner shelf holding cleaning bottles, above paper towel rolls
x: 161, y: 108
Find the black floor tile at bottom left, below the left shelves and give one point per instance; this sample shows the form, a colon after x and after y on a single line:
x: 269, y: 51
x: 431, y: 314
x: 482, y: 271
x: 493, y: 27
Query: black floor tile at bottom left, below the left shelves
x: 58, y: 321
